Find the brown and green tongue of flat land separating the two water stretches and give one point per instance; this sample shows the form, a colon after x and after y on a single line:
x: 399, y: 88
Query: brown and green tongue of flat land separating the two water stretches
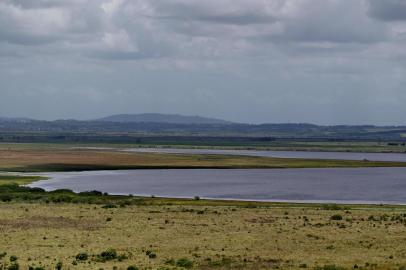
x: 38, y: 158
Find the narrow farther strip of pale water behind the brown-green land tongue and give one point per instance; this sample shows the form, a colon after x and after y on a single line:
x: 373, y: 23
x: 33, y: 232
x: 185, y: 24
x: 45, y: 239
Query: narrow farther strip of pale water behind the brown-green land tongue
x: 281, y: 154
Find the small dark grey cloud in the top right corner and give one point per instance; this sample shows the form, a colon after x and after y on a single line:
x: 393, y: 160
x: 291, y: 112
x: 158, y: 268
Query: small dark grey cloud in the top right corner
x: 388, y: 10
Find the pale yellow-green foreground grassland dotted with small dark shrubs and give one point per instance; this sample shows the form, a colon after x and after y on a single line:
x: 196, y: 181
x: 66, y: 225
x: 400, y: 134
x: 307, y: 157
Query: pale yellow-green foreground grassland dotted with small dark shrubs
x: 173, y: 234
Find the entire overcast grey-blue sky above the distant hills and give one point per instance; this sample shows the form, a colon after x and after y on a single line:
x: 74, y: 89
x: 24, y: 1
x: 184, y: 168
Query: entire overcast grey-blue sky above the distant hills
x: 255, y: 61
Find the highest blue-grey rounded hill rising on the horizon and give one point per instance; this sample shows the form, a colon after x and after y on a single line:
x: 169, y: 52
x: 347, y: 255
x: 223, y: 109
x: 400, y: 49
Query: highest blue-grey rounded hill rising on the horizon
x: 162, y: 118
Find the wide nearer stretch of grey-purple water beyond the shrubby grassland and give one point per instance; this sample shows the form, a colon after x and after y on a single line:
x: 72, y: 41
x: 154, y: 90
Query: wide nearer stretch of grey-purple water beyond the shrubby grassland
x: 355, y: 185
